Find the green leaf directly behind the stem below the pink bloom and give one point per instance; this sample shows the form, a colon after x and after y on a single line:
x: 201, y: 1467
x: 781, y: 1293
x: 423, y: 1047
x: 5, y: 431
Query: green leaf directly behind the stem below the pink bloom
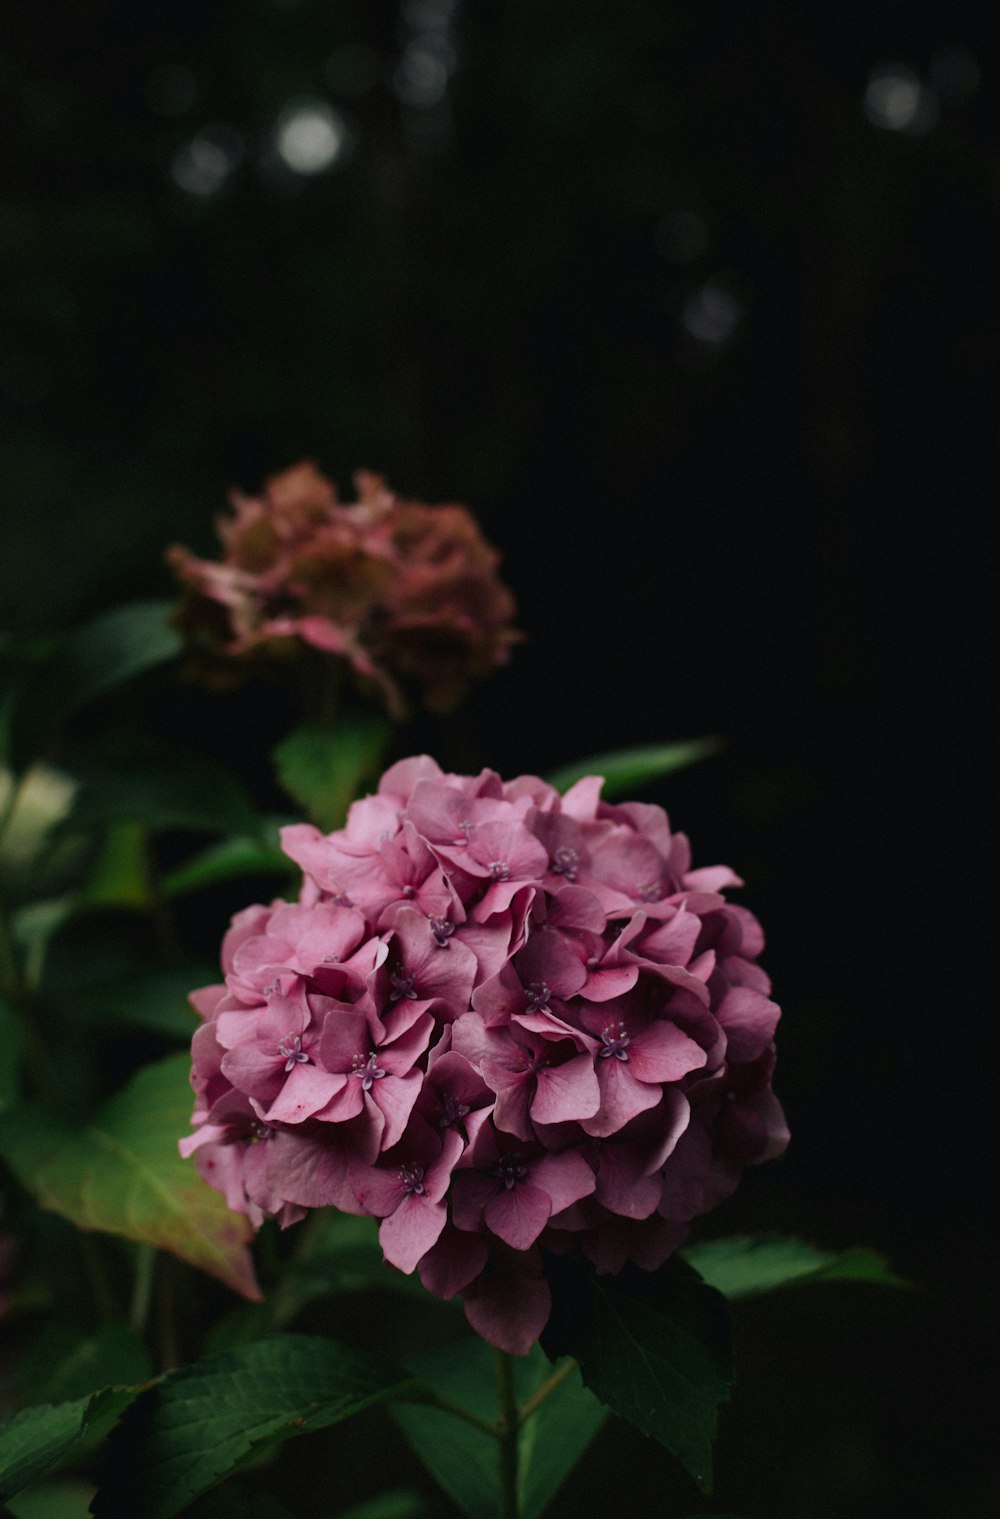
x: 464, y: 1461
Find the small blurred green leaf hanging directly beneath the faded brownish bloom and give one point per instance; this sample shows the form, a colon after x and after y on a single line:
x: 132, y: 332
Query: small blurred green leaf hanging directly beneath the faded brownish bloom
x: 324, y: 771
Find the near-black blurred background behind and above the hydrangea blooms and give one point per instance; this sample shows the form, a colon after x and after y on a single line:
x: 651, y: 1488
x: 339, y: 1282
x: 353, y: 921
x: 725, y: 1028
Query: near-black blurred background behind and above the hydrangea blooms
x: 698, y: 308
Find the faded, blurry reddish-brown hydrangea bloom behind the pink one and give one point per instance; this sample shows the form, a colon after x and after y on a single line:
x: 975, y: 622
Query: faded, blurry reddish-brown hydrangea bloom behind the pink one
x: 405, y: 593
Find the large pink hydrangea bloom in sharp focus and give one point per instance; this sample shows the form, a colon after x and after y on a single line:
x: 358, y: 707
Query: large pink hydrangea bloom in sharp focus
x: 498, y: 1020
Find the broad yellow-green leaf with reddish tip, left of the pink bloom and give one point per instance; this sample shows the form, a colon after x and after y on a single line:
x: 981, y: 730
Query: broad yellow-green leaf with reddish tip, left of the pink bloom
x: 124, y: 1175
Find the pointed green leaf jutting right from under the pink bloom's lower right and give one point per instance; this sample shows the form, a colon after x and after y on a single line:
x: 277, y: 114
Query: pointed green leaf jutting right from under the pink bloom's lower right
x: 748, y: 1266
